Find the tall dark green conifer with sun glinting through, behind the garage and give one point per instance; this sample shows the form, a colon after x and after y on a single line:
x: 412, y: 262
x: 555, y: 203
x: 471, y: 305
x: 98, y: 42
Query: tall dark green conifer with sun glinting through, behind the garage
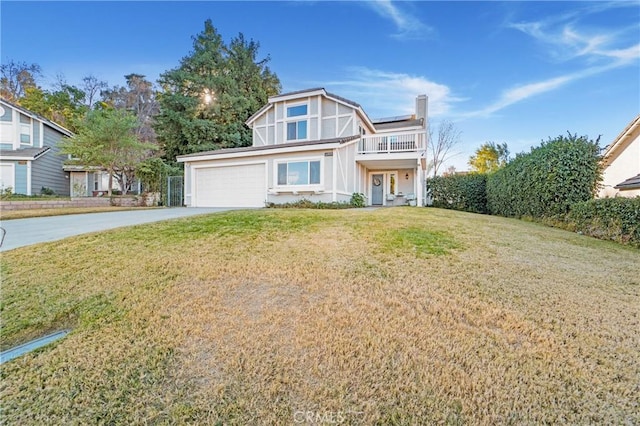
x: 205, y: 101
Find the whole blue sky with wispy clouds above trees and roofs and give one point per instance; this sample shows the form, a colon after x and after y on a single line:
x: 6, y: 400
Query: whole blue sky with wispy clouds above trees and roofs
x: 515, y: 72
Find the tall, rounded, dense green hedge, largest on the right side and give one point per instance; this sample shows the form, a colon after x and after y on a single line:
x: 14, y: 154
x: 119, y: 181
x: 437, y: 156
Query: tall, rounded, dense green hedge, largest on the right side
x: 547, y: 181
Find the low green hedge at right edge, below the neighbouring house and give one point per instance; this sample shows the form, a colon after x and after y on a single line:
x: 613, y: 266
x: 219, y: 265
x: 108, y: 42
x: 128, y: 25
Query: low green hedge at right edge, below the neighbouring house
x: 616, y: 219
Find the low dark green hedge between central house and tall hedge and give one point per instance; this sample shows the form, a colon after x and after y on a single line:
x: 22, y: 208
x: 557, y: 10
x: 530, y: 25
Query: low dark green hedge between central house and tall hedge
x: 459, y: 192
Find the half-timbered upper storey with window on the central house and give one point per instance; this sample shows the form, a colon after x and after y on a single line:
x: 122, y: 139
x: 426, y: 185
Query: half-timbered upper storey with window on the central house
x: 308, y: 115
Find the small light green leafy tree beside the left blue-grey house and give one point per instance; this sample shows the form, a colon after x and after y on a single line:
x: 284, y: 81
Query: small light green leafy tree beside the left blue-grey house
x: 106, y: 138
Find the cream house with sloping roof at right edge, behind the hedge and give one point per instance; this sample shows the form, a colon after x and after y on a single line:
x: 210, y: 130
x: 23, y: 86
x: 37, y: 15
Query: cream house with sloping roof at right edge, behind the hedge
x: 621, y: 161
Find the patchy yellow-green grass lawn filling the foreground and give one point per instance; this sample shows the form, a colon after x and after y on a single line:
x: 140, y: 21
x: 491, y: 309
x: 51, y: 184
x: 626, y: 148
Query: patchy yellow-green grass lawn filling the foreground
x: 392, y: 316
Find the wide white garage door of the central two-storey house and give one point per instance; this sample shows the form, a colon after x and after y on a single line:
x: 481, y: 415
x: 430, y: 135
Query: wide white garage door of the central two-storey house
x: 230, y: 186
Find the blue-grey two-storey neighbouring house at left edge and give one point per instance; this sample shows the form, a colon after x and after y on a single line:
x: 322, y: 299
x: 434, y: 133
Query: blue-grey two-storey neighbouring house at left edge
x: 29, y: 155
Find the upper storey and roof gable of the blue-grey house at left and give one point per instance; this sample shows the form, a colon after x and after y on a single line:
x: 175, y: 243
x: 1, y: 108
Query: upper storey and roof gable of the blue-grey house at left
x: 22, y: 129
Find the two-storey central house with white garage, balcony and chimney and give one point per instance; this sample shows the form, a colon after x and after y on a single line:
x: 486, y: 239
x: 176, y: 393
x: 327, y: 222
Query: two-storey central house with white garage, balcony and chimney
x: 314, y: 145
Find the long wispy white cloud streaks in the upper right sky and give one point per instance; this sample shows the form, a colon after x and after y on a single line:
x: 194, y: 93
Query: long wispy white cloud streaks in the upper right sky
x: 593, y: 52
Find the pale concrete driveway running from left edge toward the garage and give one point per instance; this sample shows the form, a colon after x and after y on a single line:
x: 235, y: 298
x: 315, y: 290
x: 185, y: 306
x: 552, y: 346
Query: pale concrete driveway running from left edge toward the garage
x: 24, y: 232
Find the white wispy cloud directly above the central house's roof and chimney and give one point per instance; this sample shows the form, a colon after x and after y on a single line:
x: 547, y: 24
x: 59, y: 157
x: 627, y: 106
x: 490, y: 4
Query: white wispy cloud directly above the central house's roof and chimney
x: 384, y: 94
